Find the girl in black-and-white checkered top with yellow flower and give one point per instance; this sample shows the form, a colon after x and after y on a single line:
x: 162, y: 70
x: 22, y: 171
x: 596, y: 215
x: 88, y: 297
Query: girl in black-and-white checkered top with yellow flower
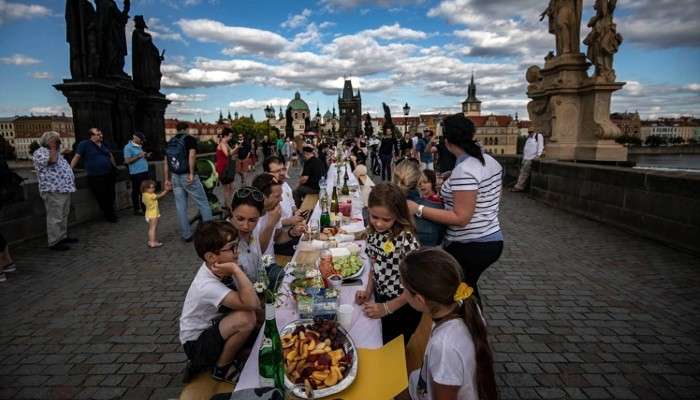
x: 392, y: 236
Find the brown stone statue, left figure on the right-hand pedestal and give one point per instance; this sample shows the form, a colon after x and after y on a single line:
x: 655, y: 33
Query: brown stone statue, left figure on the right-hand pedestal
x: 565, y: 24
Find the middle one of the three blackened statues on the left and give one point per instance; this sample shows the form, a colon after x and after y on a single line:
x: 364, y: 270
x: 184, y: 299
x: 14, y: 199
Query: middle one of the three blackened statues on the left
x: 112, y: 36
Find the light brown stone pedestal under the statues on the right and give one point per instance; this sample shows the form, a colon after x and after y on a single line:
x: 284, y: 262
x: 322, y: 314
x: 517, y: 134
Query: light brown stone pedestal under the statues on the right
x: 574, y: 111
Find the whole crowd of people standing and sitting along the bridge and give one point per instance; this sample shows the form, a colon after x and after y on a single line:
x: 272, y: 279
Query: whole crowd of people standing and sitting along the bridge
x: 433, y: 229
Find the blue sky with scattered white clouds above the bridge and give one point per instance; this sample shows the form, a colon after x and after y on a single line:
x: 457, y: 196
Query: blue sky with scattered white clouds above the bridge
x: 241, y: 55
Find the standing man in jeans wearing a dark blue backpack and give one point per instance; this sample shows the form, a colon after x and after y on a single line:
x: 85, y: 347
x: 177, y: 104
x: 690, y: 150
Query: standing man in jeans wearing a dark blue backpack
x: 180, y: 159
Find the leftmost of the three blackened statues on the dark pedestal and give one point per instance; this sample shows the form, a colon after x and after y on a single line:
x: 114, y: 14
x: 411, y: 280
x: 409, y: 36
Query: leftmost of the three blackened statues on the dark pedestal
x: 81, y: 35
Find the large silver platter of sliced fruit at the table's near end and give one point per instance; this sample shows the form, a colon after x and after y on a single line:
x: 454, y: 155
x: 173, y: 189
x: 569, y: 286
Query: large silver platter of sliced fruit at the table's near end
x: 337, y: 354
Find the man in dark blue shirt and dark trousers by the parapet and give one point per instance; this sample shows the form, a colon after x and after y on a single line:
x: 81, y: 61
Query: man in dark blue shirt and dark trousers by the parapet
x: 100, y: 167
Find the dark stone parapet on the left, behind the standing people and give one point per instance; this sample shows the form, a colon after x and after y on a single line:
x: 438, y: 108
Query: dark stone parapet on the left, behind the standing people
x: 26, y: 219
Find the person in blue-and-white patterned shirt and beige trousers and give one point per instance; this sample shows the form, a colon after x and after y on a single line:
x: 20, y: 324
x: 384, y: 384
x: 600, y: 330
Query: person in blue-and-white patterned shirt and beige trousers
x: 56, y: 183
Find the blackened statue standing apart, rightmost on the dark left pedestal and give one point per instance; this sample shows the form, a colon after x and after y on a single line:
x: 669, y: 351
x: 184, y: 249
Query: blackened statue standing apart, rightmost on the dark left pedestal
x: 145, y: 58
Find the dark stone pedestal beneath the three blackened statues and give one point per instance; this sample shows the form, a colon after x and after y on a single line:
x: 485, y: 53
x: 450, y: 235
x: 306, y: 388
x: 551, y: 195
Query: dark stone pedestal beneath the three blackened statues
x: 118, y: 110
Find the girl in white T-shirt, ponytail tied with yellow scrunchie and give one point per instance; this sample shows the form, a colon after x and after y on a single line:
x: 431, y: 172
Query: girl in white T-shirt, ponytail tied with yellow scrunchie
x: 458, y: 363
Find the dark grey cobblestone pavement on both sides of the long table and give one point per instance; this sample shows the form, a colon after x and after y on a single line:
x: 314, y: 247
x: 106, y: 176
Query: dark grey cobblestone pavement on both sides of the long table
x: 576, y: 310
